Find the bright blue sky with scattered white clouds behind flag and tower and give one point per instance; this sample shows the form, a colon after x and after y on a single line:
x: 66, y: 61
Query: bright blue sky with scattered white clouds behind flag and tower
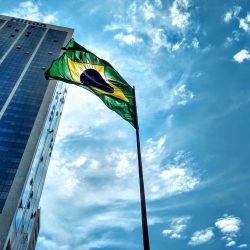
x: 189, y: 61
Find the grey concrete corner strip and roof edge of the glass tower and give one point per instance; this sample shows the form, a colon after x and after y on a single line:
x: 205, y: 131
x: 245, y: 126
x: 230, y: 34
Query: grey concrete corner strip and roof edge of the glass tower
x: 10, y: 209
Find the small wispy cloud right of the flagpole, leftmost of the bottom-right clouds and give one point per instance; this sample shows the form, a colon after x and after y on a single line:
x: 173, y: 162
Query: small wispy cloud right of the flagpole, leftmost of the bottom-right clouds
x: 177, y: 227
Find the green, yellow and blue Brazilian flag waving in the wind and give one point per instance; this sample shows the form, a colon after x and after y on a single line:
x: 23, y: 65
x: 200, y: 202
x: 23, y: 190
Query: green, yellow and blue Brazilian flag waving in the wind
x: 83, y: 68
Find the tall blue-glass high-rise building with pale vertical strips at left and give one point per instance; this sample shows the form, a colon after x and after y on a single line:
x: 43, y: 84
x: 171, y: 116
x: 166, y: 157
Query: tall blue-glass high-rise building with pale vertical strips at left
x: 30, y: 109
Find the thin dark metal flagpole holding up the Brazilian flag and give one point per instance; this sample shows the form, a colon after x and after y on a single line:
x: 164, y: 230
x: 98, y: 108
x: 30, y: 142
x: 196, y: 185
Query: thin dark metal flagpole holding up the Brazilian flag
x: 142, y: 192
